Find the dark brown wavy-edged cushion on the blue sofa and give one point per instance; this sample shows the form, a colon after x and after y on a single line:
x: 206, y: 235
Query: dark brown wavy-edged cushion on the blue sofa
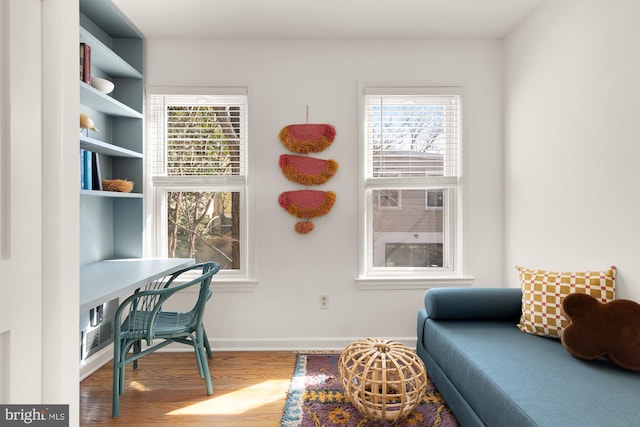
x: 596, y: 329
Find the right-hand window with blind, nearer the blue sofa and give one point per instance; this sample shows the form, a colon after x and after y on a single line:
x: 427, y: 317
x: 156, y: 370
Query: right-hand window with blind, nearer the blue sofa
x: 411, y: 182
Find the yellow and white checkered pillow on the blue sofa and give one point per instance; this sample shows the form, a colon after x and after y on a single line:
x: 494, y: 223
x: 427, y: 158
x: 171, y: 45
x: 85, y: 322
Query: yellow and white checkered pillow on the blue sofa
x: 543, y: 292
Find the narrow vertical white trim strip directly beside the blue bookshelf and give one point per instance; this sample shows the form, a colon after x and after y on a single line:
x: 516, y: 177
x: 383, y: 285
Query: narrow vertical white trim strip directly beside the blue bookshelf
x: 60, y: 213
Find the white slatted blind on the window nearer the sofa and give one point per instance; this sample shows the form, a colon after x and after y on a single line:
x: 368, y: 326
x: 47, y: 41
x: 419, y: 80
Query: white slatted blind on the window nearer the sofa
x: 412, y: 136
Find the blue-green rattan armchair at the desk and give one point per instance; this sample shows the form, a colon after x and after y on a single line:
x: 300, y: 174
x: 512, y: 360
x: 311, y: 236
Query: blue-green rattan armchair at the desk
x: 141, y: 317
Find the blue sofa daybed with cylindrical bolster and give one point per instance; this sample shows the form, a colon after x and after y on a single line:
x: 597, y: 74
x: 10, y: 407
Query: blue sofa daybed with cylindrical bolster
x: 492, y: 374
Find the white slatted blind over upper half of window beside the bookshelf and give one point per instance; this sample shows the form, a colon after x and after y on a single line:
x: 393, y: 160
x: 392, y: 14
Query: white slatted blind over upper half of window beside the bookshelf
x: 198, y: 135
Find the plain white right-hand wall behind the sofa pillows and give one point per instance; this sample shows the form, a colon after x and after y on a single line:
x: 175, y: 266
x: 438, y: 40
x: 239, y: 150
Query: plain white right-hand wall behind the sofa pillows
x: 572, y: 140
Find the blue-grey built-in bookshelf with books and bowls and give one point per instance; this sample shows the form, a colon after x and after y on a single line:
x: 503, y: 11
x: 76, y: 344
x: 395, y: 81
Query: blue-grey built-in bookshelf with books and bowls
x: 111, y: 223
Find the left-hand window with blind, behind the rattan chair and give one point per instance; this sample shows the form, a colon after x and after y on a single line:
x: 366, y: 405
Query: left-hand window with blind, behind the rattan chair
x: 197, y: 151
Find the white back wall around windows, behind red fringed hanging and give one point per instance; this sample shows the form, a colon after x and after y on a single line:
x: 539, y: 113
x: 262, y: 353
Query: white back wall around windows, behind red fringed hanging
x: 284, y: 77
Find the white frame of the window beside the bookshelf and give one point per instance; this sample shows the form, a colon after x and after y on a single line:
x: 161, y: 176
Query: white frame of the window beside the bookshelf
x: 157, y: 187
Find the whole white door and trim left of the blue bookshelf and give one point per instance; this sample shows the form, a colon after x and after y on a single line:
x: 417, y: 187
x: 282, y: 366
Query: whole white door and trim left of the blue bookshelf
x: 39, y: 204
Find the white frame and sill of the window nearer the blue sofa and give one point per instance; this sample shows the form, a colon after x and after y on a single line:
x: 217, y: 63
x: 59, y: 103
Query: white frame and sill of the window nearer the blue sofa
x: 371, y: 277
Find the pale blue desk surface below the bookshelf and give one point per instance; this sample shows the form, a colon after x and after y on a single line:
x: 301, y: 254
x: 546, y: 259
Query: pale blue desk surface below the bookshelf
x: 103, y: 281
